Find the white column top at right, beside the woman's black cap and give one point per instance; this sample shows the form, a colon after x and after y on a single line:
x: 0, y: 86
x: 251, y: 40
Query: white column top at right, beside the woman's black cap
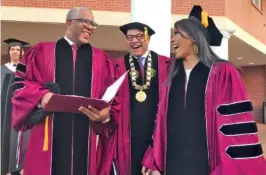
x: 223, y: 50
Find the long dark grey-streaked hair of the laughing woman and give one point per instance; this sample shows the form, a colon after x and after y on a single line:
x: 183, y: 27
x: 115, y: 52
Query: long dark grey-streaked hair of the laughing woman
x: 196, y: 32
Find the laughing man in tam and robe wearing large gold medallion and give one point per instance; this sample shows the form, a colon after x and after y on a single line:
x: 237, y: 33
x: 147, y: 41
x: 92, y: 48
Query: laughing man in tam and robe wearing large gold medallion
x: 139, y: 94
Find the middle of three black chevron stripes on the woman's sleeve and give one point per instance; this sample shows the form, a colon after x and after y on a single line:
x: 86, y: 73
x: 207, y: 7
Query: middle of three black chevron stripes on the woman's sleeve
x: 239, y: 128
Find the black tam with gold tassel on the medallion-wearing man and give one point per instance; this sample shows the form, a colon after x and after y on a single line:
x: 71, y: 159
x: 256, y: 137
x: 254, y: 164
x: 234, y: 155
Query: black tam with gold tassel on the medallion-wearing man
x: 139, y: 26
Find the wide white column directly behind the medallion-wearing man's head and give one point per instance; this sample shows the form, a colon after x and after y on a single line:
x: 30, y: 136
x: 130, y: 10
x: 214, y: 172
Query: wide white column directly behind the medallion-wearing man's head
x: 156, y: 14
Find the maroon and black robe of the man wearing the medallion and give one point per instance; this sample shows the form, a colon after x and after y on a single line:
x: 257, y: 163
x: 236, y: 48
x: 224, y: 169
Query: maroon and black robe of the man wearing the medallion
x: 136, y: 119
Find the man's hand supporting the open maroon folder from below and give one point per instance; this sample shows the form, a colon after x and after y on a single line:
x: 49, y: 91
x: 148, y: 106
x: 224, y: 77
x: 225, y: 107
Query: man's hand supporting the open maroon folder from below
x: 96, y: 115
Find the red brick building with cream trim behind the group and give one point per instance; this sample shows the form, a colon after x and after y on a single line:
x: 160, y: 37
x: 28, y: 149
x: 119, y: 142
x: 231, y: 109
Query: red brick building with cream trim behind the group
x: 243, y: 23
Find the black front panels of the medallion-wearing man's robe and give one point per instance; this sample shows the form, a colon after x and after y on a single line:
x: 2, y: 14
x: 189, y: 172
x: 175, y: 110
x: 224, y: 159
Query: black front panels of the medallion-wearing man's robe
x: 142, y: 114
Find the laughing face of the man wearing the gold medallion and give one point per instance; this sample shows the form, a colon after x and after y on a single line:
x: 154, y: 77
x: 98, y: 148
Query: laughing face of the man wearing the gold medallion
x: 136, y: 43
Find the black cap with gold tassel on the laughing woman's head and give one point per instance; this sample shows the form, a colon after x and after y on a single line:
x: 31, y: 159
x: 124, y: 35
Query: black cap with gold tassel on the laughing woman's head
x: 208, y: 23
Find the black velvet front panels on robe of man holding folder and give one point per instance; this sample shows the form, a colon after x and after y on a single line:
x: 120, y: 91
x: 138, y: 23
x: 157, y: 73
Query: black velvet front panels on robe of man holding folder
x: 71, y: 129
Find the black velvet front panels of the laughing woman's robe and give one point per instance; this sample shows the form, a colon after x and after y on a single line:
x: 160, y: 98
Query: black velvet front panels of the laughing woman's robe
x: 186, y: 126
